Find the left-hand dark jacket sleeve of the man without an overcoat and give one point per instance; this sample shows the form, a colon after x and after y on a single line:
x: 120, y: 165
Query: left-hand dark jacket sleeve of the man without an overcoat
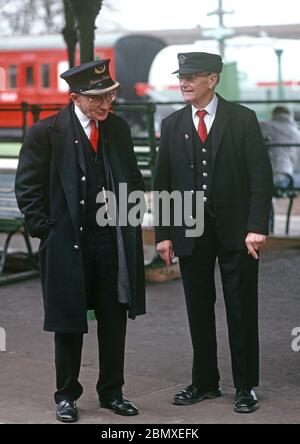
x: 162, y: 180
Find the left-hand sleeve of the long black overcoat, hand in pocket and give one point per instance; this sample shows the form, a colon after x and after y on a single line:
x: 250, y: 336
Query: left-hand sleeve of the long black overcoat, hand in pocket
x: 32, y: 181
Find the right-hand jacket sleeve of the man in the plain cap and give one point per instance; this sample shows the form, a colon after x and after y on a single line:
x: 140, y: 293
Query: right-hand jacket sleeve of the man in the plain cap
x: 260, y: 176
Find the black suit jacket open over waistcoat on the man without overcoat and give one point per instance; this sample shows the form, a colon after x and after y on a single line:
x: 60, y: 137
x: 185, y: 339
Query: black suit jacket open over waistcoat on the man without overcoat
x: 241, y: 174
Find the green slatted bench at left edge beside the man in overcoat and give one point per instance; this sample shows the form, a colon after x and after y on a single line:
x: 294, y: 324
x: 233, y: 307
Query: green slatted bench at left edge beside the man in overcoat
x: 11, y: 219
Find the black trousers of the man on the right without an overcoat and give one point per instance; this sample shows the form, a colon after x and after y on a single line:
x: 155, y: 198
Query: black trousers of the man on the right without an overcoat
x: 239, y: 273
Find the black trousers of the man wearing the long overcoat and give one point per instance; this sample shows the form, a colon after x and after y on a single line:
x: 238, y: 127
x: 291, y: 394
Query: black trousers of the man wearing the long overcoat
x: 100, y: 259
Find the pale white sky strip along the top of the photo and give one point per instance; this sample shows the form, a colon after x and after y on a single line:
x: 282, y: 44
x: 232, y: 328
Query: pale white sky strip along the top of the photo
x: 167, y: 14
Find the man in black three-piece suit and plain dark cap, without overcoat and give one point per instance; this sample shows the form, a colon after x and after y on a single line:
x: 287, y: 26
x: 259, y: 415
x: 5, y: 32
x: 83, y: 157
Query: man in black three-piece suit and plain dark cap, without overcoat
x: 216, y: 147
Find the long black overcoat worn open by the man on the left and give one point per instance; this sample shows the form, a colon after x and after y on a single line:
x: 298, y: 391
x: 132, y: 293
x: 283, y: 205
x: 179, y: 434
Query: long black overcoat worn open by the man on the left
x: 50, y: 184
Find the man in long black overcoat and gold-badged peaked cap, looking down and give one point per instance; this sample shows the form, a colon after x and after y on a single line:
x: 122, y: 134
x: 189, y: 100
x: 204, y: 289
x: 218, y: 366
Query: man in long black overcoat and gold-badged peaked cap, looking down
x: 65, y: 161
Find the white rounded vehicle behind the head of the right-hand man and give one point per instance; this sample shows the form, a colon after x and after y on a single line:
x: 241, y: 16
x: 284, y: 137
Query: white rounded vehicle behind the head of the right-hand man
x: 251, y: 72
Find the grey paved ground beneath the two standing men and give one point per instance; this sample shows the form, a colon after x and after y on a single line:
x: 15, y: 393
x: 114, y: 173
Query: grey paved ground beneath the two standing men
x: 158, y: 356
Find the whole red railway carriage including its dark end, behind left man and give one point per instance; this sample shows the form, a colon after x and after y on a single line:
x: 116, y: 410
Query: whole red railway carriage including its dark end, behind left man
x: 30, y: 69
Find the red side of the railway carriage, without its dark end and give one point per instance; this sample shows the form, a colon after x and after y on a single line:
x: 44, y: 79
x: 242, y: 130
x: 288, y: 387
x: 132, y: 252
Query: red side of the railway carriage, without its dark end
x: 29, y: 72
